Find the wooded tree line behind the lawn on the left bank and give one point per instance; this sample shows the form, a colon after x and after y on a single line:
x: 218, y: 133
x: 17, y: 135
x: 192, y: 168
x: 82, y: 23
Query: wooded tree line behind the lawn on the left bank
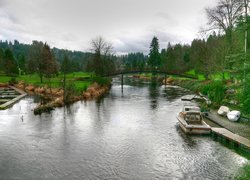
x: 19, y: 58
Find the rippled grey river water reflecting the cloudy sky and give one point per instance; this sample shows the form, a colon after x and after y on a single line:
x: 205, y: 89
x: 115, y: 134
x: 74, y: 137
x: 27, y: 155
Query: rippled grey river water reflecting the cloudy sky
x: 129, y: 134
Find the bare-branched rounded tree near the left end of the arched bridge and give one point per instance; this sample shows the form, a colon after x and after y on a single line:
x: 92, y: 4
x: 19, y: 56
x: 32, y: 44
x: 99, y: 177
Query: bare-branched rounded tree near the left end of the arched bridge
x: 102, y: 61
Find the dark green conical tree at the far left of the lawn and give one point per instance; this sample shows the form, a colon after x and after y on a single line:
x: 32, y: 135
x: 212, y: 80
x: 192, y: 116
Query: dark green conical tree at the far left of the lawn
x: 10, y: 65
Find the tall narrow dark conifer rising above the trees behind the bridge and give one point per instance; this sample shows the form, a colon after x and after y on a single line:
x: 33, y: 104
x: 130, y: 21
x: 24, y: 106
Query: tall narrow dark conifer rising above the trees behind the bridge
x: 154, y: 55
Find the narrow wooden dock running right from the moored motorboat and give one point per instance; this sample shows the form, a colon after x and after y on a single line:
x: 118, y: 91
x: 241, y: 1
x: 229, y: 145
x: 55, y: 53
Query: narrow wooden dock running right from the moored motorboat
x: 237, y: 140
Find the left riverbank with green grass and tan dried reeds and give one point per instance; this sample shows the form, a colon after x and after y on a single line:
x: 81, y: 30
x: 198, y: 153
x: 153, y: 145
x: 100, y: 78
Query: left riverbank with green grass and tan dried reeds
x: 79, y: 86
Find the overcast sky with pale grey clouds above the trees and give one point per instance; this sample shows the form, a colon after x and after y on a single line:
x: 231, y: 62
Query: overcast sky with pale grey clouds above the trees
x: 128, y: 24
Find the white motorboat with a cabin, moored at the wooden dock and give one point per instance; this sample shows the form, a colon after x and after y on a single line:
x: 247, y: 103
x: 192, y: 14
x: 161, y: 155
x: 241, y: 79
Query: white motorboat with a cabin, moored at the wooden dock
x: 191, y: 121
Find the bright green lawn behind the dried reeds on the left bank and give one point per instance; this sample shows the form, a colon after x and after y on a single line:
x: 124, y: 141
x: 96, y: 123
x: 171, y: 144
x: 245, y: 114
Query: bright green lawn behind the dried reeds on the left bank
x: 55, y: 82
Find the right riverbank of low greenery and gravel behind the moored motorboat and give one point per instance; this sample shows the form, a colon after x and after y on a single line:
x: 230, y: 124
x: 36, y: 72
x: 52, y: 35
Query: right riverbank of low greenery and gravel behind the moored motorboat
x: 241, y: 127
